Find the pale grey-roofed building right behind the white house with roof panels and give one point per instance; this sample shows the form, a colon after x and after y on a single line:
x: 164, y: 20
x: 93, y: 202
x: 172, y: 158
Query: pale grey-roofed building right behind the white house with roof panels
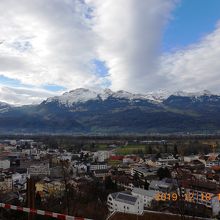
x: 146, y: 195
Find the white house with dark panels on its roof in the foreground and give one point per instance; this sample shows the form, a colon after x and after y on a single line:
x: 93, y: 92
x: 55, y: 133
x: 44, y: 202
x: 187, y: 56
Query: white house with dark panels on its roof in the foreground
x: 126, y: 203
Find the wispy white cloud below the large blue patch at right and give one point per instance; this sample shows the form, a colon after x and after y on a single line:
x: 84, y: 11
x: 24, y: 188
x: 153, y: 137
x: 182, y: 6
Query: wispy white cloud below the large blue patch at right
x: 196, y: 67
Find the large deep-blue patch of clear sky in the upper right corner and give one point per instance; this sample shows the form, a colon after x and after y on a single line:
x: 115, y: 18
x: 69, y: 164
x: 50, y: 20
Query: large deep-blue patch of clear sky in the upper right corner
x: 192, y: 20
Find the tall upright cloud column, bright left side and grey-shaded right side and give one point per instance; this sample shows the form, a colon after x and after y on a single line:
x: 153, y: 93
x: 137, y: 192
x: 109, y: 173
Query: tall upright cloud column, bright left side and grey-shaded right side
x: 130, y: 34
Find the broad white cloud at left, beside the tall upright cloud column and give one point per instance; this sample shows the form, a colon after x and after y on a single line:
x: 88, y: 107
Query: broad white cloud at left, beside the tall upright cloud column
x: 46, y: 42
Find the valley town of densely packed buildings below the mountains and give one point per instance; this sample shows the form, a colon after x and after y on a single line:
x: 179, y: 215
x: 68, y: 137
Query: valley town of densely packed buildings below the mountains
x: 122, y: 178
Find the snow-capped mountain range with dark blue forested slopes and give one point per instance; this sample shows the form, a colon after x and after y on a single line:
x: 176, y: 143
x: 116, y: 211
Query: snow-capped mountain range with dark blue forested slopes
x: 83, y: 111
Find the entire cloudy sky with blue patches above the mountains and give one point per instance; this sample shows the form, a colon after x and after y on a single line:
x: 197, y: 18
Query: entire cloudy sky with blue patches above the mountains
x: 50, y: 47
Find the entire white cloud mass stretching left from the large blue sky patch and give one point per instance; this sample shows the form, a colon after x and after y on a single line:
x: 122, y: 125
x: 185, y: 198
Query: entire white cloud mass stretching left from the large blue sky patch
x: 55, y: 42
